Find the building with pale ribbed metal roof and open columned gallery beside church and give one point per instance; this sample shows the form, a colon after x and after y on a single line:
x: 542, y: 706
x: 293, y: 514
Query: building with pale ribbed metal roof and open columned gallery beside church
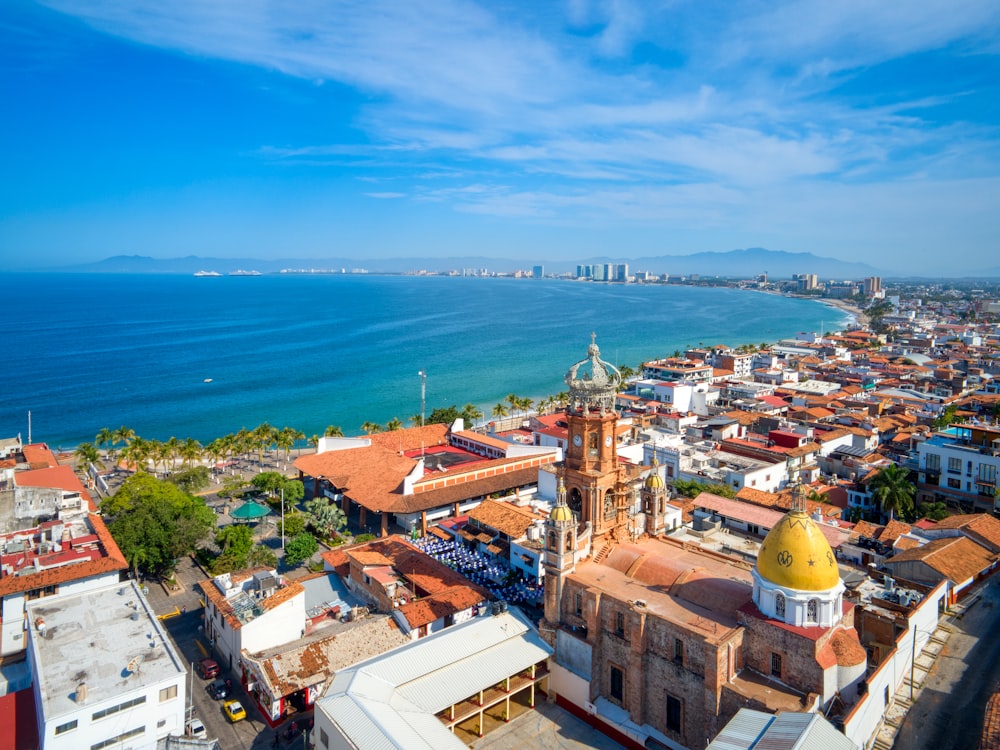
x: 439, y: 692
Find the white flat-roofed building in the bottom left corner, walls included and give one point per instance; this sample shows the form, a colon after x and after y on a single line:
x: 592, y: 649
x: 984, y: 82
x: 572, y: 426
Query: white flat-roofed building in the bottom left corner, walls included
x: 106, y: 675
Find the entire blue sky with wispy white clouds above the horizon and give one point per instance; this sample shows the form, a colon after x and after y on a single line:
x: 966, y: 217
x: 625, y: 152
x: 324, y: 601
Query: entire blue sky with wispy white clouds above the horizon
x: 538, y: 130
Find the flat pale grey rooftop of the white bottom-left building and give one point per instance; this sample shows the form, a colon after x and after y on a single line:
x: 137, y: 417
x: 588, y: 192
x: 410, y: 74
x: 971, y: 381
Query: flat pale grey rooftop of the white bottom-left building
x: 108, y: 639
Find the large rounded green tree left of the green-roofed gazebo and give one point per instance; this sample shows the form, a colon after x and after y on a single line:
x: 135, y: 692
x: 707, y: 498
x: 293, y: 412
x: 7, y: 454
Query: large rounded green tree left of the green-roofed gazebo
x: 155, y: 522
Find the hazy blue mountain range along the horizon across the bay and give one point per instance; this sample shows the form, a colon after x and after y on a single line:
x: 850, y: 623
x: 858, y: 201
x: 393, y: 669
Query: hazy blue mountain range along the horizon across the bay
x: 733, y: 264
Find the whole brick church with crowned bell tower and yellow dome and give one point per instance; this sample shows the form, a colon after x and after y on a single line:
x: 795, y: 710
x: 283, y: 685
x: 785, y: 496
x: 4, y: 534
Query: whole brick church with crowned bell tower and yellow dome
x: 661, y: 641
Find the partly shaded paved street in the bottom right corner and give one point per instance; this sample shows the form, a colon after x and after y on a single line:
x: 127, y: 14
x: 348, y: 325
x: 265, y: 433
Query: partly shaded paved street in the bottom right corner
x: 948, y: 714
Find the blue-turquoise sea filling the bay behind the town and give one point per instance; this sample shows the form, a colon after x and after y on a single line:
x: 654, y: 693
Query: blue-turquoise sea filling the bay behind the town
x: 86, y: 351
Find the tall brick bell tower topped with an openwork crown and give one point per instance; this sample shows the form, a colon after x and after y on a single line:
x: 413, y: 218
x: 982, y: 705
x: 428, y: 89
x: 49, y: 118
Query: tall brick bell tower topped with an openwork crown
x: 593, y: 479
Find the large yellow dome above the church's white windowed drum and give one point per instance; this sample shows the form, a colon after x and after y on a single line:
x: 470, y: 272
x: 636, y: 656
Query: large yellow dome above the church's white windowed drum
x: 796, y: 555
